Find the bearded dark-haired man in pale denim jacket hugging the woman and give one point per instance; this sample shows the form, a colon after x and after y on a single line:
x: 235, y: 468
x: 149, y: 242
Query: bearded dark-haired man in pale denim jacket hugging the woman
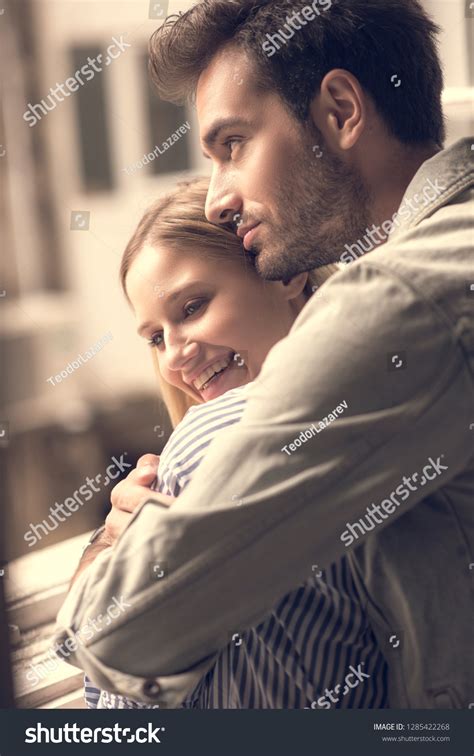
x: 327, y: 148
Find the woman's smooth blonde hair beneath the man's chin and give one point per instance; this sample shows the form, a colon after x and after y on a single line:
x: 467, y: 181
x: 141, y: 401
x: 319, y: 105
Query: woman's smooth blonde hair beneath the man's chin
x: 178, y: 221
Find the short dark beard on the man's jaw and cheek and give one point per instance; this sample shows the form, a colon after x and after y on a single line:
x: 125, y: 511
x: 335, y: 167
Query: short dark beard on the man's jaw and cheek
x: 323, y: 205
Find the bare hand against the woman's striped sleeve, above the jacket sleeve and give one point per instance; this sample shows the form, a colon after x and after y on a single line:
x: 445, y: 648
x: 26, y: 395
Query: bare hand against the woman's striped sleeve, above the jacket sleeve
x: 127, y: 495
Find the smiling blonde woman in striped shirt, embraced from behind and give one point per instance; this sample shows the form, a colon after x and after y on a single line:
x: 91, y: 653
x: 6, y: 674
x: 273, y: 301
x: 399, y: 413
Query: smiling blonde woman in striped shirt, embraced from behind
x: 211, y: 321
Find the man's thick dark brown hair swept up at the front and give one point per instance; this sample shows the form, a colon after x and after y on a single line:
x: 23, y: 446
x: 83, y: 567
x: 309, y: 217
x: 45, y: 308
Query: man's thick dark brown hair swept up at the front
x: 380, y: 42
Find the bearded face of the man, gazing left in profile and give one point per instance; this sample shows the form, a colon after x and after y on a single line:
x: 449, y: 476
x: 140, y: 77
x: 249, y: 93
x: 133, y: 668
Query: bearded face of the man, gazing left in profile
x: 271, y: 175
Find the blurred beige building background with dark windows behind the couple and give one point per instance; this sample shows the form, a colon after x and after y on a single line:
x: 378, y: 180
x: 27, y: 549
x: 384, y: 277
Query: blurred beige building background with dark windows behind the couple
x: 72, y: 189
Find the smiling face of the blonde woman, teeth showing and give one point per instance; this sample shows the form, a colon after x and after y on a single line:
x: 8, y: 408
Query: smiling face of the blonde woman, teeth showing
x: 211, y: 320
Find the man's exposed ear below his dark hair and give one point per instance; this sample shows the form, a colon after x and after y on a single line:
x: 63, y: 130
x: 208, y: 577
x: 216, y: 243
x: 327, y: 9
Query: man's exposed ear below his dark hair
x: 339, y: 110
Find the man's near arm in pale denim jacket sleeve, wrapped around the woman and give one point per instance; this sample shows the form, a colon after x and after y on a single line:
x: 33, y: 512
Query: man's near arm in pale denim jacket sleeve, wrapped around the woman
x: 263, y: 509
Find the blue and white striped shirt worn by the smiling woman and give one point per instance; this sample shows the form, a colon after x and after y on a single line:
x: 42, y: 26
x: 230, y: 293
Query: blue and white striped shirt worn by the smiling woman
x: 317, y: 637
